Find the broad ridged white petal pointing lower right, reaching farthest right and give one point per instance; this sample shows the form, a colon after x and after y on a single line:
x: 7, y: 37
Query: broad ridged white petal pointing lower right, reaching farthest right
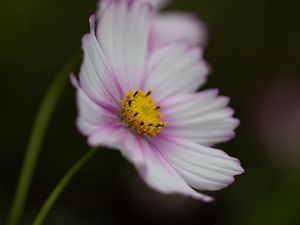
x: 203, y: 168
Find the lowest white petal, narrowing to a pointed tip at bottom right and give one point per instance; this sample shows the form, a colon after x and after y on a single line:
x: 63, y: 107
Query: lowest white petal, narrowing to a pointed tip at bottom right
x: 162, y: 176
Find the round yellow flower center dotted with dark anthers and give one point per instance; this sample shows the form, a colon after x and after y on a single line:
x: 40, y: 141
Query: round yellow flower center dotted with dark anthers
x: 139, y: 111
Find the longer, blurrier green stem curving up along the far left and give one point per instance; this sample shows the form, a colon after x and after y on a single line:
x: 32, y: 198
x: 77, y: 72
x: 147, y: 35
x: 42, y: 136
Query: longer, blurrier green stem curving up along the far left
x: 36, y: 138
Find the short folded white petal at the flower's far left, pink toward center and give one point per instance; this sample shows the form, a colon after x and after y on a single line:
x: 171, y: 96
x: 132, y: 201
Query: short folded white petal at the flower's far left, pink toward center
x: 92, y: 116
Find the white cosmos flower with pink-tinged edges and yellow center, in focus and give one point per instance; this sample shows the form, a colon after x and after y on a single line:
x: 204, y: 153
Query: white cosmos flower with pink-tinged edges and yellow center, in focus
x: 142, y: 101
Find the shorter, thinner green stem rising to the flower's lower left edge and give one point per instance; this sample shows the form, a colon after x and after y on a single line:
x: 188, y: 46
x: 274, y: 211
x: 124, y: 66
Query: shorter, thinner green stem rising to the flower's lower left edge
x: 60, y: 187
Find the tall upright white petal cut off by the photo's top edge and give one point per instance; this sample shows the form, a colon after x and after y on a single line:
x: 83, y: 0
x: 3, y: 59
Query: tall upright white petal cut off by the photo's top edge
x: 123, y: 33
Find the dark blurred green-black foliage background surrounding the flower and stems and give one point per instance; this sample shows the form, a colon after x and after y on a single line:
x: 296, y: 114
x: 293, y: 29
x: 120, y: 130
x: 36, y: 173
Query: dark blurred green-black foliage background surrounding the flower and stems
x: 250, y: 43
